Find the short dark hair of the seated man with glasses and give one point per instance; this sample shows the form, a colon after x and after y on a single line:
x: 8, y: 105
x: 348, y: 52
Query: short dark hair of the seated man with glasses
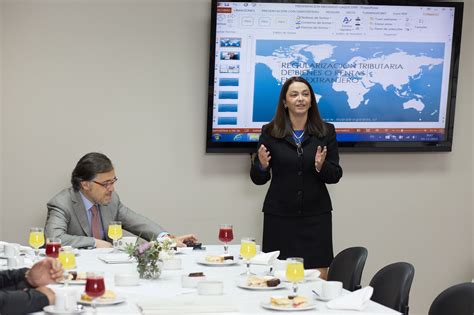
x: 88, y: 167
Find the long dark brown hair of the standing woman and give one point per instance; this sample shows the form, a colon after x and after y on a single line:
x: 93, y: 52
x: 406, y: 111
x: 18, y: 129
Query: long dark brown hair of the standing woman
x: 280, y: 126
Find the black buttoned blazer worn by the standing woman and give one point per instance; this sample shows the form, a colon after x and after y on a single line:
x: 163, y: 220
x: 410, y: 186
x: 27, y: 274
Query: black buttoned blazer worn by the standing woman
x: 297, y: 189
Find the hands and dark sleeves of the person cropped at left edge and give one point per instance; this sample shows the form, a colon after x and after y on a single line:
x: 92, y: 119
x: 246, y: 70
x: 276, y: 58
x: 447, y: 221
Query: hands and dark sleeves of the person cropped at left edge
x: 24, y: 291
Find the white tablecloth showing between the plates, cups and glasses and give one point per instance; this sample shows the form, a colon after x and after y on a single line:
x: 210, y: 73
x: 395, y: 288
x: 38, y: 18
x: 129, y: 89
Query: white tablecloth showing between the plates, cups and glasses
x: 168, y: 286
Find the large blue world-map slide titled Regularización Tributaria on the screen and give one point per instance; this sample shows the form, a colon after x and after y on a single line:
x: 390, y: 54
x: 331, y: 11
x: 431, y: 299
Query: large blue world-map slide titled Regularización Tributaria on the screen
x: 355, y: 82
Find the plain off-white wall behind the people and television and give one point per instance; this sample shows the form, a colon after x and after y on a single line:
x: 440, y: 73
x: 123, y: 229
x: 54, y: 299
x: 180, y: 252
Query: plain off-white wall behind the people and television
x: 129, y: 78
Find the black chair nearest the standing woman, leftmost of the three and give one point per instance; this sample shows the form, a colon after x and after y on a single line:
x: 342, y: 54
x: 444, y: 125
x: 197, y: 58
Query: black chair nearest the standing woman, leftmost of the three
x: 347, y: 267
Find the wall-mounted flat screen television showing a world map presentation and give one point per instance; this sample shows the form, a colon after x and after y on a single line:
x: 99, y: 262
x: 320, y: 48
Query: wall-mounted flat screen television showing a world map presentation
x: 383, y: 72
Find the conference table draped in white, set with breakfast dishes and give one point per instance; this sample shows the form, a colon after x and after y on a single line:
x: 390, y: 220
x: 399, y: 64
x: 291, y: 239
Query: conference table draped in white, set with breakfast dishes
x: 167, y: 290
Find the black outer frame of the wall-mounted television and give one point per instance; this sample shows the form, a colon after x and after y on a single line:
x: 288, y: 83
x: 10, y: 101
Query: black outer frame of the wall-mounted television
x: 359, y: 146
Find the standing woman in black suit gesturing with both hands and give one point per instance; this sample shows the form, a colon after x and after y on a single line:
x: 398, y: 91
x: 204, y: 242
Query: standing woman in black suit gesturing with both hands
x: 298, y: 151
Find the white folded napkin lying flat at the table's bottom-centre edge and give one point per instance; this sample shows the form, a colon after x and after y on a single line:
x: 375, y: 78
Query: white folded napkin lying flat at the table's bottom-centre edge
x: 188, y: 304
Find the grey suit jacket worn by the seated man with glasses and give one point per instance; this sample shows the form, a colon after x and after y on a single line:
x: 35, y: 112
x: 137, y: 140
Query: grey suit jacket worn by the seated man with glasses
x: 67, y: 219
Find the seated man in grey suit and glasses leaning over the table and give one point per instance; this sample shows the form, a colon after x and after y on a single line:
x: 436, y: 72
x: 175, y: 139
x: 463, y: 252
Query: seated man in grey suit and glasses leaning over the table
x: 80, y: 215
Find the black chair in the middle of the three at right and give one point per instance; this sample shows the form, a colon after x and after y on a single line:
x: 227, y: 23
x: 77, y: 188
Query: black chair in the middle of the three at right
x: 392, y: 286
